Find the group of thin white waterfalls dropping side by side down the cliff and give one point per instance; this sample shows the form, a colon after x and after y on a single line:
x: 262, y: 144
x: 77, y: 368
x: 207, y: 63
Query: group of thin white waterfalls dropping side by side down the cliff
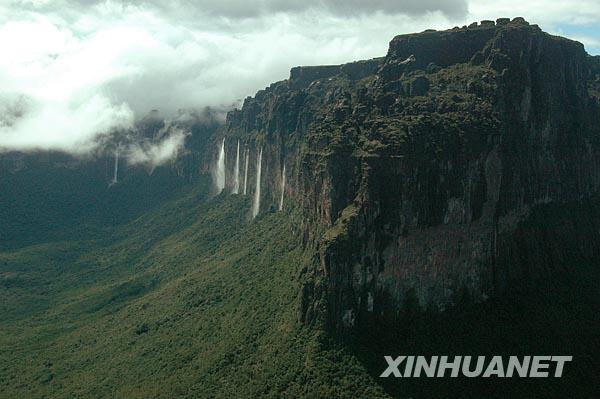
x: 220, y: 173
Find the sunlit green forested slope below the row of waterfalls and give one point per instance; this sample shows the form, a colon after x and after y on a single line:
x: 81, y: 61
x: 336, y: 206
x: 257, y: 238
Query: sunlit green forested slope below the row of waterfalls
x: 189, y: 300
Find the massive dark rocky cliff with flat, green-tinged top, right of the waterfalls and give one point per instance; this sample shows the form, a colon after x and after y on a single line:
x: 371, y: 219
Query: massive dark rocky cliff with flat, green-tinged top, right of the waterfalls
x: 440, y: 173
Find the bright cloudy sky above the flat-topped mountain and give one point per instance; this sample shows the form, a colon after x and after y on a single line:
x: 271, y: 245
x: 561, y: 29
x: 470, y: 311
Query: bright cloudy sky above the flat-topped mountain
x: 72, y: 70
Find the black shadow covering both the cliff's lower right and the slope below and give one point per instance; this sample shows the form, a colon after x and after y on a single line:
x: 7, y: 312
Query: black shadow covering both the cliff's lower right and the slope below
x: 551, y: 309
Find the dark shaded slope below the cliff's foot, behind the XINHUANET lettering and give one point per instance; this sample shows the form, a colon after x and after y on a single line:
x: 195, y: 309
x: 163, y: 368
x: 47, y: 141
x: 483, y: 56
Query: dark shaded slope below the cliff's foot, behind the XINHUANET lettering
x: 566, y: 323
